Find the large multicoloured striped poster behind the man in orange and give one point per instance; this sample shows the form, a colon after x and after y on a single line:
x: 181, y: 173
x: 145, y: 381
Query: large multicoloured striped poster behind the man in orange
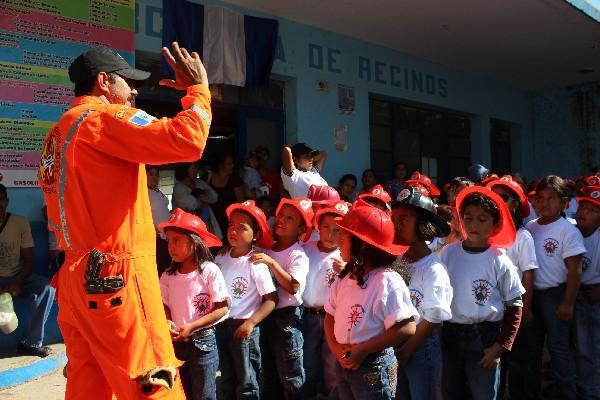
x: 38, y: 41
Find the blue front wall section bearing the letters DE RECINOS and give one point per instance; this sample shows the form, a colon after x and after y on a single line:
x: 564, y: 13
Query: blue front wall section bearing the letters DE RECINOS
x: 306, y: 55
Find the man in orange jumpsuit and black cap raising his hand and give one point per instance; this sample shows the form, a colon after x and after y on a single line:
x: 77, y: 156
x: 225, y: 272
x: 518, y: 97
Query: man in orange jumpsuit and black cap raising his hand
x: 94, y: 183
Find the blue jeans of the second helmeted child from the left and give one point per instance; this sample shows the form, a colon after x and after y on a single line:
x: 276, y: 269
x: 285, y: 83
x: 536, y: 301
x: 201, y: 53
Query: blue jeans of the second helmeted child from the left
x: 239, y: 361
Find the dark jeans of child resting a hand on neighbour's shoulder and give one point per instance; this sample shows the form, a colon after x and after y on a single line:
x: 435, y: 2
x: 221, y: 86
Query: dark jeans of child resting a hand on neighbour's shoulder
x: 282, y: 354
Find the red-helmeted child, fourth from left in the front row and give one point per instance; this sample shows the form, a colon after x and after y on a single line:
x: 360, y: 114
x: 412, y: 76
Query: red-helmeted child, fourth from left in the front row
x: 323, y: 255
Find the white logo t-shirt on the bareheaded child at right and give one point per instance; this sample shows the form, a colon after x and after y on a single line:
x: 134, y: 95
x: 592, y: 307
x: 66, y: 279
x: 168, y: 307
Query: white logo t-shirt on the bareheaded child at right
x: 553, y: 243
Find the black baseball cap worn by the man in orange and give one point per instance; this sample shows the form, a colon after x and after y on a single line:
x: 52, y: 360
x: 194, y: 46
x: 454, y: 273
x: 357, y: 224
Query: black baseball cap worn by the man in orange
x: 102, y: 59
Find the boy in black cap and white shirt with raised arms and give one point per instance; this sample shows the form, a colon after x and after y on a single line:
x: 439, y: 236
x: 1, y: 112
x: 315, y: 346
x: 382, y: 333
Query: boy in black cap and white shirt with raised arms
x: 301, y: 167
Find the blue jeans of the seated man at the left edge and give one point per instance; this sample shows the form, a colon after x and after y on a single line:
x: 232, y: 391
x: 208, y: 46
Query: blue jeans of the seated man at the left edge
x: 38, y: 288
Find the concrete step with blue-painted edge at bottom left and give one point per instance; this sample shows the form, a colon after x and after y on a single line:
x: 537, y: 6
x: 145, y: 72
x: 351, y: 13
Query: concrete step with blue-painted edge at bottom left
x: 16, y: 369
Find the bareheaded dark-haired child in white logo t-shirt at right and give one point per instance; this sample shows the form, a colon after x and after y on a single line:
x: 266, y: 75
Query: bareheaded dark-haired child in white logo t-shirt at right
x: 559, y: 249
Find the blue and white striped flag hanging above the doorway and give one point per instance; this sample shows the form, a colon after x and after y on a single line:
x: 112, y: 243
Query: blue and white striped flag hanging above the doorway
x: 236, y: 49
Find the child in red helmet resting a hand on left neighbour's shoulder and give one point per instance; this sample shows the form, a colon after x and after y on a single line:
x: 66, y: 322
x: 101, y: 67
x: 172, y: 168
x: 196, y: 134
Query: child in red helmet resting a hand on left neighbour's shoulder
x: 281, y: 345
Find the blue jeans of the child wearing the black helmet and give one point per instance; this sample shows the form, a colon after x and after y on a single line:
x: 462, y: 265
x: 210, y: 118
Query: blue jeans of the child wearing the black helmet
x: 418, y: 379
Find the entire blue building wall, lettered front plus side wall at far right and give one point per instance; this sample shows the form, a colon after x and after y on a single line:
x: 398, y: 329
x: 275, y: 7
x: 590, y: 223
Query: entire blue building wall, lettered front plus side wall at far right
x: 544, y: 125
